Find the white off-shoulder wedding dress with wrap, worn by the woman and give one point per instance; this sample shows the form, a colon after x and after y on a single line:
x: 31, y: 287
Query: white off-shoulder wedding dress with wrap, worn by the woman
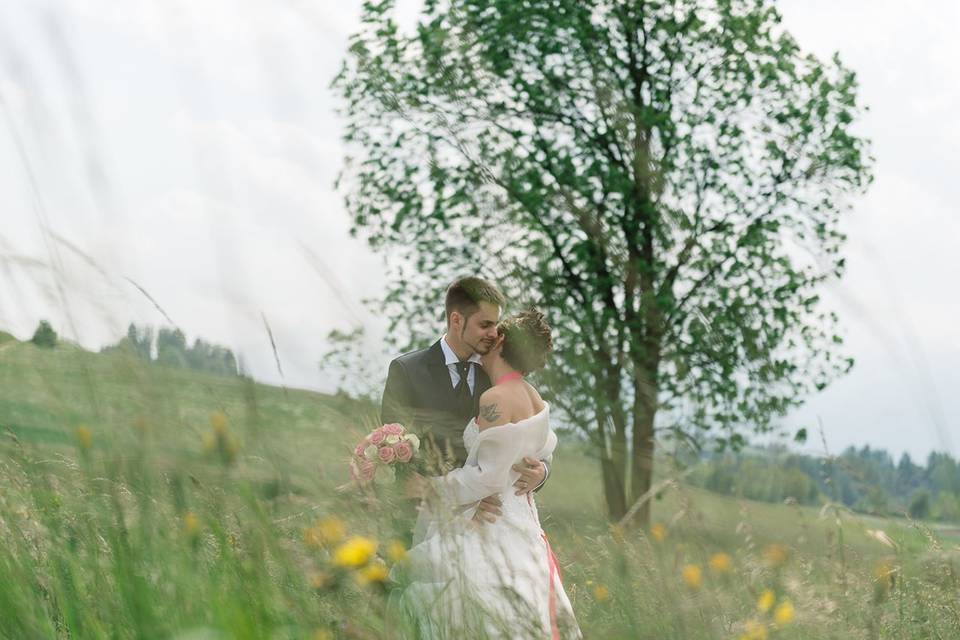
x: 495, y: 580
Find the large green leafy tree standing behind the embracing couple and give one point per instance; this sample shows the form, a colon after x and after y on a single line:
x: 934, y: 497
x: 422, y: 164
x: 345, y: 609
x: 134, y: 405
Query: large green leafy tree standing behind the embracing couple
x: 665, y: 179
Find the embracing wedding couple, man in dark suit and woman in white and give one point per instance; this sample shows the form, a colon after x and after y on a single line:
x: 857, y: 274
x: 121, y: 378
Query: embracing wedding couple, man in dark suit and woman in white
x: 480, y: 565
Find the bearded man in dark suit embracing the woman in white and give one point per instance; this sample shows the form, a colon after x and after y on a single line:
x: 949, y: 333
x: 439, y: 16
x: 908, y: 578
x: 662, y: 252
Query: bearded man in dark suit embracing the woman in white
x: 435, y: 391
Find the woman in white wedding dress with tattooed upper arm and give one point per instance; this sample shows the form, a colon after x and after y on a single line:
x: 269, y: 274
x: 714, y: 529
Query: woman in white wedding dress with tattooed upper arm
x: 500, y: 579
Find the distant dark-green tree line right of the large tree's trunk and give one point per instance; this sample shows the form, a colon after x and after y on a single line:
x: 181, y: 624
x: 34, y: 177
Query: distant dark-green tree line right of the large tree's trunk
x: 866, y: 480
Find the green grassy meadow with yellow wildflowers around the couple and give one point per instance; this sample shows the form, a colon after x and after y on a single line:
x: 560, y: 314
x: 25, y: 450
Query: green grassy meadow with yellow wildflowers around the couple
x: 138, y: 501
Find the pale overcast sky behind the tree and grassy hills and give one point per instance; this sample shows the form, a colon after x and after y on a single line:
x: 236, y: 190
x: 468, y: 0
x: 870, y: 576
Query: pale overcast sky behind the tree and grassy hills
x: 191, y: 147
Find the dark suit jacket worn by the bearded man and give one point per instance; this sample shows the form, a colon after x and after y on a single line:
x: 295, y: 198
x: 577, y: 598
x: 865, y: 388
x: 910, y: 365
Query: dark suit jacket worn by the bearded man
x: 420, y: 396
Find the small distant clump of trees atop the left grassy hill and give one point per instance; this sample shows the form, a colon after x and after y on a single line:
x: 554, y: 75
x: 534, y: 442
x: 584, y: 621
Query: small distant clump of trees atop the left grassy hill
x: 172, y: 350
